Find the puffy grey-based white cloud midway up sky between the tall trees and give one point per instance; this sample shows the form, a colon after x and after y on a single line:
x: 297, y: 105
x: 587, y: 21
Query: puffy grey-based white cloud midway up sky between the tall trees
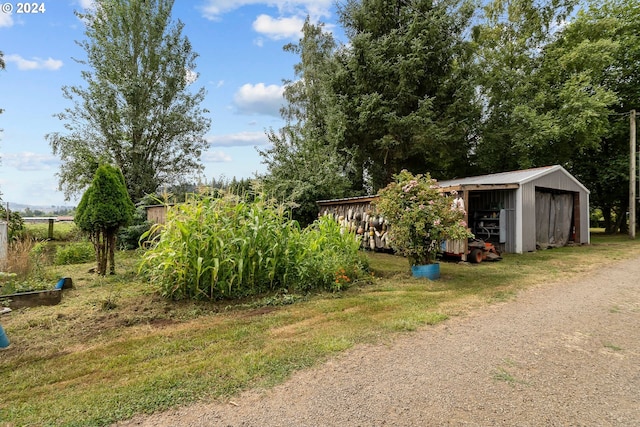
x: 259, y: 99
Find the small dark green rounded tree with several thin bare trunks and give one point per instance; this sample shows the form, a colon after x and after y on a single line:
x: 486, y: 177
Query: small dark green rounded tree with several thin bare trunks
x: 104, y: 208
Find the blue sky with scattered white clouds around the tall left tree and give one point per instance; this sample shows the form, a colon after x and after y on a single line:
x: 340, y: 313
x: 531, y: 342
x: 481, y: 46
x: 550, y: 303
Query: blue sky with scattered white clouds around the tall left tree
x: 241, y: 64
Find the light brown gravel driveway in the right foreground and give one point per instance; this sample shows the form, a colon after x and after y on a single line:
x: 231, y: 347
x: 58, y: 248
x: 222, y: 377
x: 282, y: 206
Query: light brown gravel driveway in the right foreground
x: 563, y: 354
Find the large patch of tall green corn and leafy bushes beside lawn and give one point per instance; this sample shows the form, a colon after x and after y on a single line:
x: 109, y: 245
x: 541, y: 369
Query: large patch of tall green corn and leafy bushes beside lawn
x: 213, y: 248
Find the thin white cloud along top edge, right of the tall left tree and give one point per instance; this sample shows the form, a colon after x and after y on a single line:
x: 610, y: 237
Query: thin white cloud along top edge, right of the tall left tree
x: 316, y: 9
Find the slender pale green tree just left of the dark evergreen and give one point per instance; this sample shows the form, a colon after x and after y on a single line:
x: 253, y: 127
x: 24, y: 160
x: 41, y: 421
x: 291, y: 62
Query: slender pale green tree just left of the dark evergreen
x: 304, y: 163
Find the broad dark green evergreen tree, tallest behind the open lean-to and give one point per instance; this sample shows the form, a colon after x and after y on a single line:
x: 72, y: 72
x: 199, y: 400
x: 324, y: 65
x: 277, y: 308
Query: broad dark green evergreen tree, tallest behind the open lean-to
x: 404, y: 89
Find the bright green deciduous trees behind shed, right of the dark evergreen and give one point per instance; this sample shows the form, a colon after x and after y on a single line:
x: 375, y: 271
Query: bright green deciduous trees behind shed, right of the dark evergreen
x: 560, y: 92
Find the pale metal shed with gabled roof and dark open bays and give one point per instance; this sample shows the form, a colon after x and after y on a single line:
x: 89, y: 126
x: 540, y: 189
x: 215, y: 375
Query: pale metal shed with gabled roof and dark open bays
x: 525, y: 210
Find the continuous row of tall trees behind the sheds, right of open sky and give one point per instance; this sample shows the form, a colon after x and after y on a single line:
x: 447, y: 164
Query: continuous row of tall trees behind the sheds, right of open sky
x: 456, y: 89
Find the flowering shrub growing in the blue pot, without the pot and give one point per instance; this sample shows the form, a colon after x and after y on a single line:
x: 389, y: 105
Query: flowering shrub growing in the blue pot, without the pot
x: 420, y: 216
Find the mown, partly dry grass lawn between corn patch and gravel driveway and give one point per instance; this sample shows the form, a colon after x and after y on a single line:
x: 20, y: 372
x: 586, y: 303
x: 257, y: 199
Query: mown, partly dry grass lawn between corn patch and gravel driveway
x: 113, y: 348
